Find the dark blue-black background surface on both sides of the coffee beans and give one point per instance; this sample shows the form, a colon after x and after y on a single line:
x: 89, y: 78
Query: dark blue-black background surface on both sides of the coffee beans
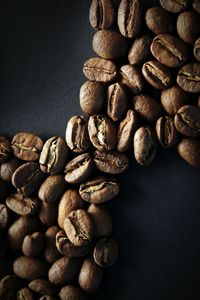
x: 157, y: 214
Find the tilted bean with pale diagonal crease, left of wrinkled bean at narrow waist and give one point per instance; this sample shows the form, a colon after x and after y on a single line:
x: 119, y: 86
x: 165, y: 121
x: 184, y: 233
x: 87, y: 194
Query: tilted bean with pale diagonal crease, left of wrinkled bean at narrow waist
x: 79, y: 168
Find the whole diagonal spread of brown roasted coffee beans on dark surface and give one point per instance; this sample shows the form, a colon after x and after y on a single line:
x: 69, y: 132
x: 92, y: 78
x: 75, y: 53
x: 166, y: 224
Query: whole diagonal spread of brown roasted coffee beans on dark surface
x: 142, y: 91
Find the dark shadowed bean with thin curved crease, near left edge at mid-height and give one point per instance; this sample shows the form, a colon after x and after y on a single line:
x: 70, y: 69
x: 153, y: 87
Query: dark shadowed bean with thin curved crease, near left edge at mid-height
x: 27, y: 178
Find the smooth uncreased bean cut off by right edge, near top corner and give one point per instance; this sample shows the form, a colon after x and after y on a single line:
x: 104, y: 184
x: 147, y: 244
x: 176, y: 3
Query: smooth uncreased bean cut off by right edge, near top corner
x: 188, y: 26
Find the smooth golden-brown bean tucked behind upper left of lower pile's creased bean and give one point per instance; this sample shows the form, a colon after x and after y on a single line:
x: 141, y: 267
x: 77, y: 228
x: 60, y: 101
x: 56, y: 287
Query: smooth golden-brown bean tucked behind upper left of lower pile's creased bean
x: 71, y: 200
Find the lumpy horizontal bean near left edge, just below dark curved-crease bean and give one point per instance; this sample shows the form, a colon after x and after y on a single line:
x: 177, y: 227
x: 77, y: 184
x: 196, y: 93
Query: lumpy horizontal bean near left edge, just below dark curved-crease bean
x: 23, y: 205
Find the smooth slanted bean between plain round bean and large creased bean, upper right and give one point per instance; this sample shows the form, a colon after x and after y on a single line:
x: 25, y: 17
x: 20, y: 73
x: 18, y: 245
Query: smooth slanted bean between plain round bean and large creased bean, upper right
x: 140, y: 50
